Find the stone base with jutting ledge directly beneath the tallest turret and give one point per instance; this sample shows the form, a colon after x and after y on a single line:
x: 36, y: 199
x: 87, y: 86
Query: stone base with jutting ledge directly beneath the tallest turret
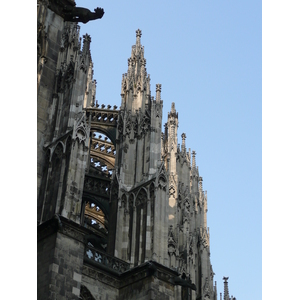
x: 147, y: 281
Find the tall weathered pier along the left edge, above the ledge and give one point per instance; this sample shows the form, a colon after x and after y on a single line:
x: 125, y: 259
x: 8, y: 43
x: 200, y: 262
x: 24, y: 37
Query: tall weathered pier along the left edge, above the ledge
x: 63, y: 76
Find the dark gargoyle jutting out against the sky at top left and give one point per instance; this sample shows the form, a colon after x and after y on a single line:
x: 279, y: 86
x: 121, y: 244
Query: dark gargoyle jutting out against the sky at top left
x: 81, y: 14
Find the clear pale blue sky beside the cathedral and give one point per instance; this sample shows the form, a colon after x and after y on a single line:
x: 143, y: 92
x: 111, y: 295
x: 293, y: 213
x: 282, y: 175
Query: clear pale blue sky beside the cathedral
x: 207, y: 55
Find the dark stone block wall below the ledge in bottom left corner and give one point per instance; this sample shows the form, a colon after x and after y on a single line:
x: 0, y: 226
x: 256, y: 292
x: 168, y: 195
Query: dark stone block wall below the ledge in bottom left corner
x: 59, y: 260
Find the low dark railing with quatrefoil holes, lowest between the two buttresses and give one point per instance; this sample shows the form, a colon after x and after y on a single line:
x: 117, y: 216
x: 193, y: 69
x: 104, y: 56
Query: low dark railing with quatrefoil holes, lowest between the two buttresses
x: 97, y: 257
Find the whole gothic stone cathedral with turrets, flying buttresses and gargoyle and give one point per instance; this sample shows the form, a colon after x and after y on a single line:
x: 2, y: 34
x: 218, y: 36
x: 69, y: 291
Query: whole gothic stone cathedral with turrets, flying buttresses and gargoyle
x: 121, y: 211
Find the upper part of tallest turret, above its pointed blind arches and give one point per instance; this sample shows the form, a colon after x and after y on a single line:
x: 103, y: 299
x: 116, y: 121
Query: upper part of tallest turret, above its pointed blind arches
x: 139, y: 123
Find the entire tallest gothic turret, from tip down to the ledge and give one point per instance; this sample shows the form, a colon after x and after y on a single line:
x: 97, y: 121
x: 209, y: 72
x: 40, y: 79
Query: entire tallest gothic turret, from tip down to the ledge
x: 140, y: 174
